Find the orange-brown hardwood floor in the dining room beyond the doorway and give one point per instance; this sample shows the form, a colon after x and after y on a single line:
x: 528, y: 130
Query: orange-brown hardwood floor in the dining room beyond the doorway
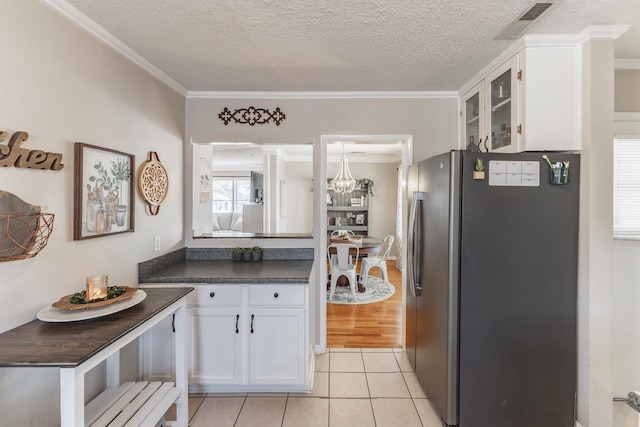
x: 375, y: 325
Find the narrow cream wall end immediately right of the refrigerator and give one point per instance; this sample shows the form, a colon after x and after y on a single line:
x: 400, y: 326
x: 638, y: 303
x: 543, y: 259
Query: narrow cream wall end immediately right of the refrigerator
x: 595, y: 264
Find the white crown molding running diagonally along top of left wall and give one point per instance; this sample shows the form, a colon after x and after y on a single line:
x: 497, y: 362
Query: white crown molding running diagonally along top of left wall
x: 90, y: 26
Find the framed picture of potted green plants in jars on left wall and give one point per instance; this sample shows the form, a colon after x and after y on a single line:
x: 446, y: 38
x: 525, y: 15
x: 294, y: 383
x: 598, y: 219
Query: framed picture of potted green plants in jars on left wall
x: 103, y: 192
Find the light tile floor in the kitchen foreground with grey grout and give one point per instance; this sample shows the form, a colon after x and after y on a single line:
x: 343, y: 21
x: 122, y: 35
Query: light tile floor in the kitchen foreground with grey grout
x: 352, y: 388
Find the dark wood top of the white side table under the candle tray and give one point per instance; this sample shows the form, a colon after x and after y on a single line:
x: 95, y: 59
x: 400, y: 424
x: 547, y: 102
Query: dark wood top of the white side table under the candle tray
x: 69, y: 344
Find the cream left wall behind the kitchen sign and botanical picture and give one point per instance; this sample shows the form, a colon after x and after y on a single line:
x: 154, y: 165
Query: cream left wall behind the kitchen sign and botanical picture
x: 63, y: 86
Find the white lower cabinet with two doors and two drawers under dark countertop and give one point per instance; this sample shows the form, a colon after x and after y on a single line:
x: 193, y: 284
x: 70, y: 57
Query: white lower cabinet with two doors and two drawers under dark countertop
x: 249, y: 338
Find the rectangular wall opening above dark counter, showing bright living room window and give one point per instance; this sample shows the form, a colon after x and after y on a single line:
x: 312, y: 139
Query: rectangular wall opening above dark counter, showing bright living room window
x: 253, y: 190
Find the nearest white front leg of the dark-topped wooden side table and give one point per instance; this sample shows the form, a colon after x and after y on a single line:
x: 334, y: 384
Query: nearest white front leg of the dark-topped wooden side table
x: 71, y: 397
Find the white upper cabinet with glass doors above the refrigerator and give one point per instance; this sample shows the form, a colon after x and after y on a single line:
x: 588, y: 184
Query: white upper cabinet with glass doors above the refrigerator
x: 528, y: 103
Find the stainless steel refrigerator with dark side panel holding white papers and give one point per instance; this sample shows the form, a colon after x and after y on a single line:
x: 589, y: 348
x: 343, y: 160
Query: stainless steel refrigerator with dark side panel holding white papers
x: 492, y: 287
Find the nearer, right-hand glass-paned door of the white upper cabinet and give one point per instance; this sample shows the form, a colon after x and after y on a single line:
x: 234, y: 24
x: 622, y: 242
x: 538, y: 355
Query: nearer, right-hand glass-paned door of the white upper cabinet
x: 501, y: 110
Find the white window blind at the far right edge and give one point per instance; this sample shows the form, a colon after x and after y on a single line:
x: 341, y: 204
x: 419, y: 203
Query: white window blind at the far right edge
x: 626, y: 188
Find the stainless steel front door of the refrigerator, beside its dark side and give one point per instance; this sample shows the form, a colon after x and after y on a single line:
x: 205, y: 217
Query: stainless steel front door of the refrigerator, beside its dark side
x: 436, y: 358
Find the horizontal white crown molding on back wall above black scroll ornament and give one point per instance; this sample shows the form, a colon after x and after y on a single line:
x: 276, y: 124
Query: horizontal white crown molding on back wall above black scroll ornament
x: 321, y: 95
